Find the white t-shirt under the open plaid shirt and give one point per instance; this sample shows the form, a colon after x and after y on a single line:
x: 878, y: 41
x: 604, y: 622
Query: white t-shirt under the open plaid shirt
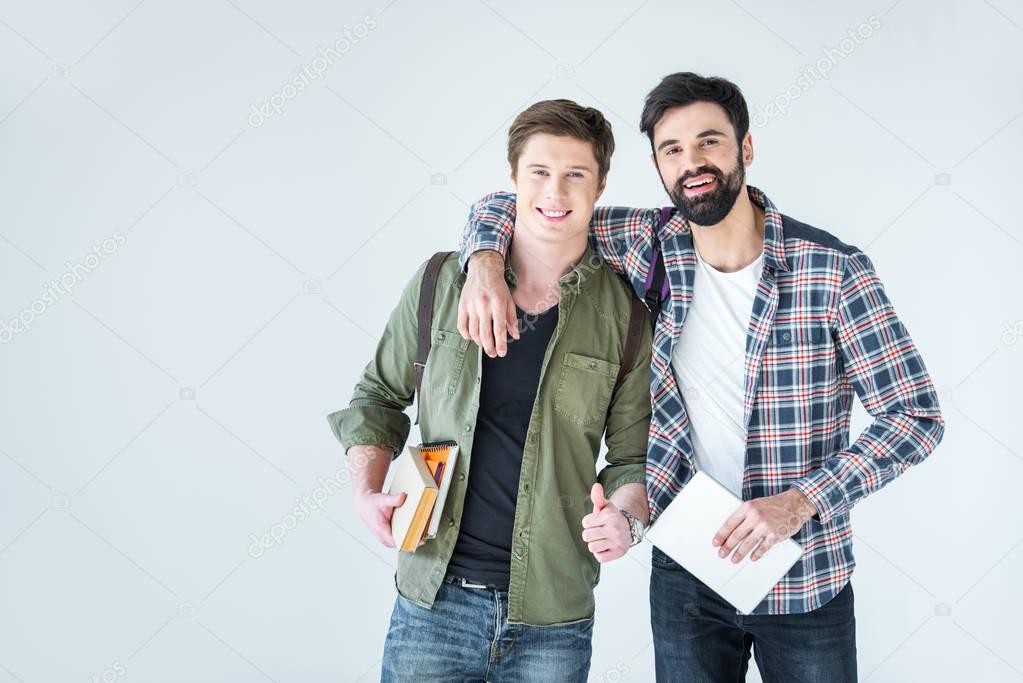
x: 709, y: 365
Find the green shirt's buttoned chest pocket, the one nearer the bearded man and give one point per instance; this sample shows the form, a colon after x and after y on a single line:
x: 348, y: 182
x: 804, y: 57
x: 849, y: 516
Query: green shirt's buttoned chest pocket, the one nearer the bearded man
x: 586, y: 388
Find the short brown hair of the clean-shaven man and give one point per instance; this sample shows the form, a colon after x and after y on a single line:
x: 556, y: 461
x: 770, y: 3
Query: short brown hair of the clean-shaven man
x: 563, y: 117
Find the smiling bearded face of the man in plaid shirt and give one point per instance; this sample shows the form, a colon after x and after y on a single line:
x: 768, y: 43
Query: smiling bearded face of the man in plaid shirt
x: 701, y: 163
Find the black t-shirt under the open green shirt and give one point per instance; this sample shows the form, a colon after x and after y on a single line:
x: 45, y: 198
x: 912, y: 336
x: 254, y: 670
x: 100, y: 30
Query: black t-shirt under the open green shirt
x: 508, y: 391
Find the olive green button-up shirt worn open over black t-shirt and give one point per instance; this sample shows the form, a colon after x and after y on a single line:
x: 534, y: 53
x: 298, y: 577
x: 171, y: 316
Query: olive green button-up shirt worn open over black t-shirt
x: 553, y: 573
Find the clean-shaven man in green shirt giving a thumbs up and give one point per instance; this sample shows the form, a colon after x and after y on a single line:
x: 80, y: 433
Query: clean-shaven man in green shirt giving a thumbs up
x: 506, y: 589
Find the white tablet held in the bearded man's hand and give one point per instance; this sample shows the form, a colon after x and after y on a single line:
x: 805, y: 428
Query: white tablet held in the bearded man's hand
x: 685, y: 530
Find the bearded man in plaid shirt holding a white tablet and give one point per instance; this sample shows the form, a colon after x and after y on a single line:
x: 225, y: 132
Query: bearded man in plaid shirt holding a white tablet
x: 770, y: 328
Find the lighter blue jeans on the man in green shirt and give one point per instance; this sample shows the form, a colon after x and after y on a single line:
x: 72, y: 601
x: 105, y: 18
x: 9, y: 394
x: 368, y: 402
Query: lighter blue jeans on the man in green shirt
x: 466, y: 638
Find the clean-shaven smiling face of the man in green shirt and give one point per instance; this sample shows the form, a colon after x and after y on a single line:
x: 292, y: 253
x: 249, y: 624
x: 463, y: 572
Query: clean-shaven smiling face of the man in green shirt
x: 557, y: 184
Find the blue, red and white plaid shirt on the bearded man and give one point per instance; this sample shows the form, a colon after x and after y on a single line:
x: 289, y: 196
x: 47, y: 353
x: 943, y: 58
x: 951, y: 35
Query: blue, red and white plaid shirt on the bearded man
x: 822, y: 328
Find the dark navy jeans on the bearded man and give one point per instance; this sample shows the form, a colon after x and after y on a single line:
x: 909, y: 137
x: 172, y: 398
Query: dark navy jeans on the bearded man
x: 700, y: 639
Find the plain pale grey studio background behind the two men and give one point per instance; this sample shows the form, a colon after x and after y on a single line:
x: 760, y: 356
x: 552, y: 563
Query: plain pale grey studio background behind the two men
x: 174, y: 404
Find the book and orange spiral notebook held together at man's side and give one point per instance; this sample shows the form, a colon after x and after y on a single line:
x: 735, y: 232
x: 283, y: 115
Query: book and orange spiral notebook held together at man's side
x: 424, y: 475
